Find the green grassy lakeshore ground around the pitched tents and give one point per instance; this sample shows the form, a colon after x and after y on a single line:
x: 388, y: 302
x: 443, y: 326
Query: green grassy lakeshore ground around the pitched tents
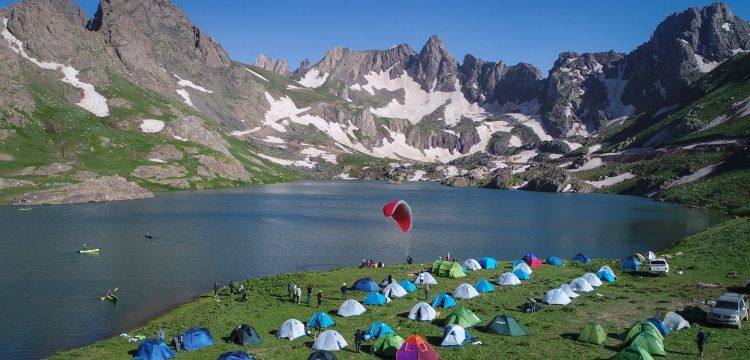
x: 705, y: 257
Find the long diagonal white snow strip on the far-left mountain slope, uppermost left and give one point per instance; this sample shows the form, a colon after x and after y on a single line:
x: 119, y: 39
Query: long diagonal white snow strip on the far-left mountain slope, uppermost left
x: 92, y: 101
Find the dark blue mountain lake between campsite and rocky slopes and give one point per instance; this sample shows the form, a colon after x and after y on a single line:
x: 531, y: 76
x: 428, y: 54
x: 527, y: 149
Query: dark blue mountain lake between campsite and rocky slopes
x: 50, y: 293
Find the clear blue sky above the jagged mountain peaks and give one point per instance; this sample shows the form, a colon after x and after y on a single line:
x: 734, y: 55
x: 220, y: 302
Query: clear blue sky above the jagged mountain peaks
x: 533, y: 31
